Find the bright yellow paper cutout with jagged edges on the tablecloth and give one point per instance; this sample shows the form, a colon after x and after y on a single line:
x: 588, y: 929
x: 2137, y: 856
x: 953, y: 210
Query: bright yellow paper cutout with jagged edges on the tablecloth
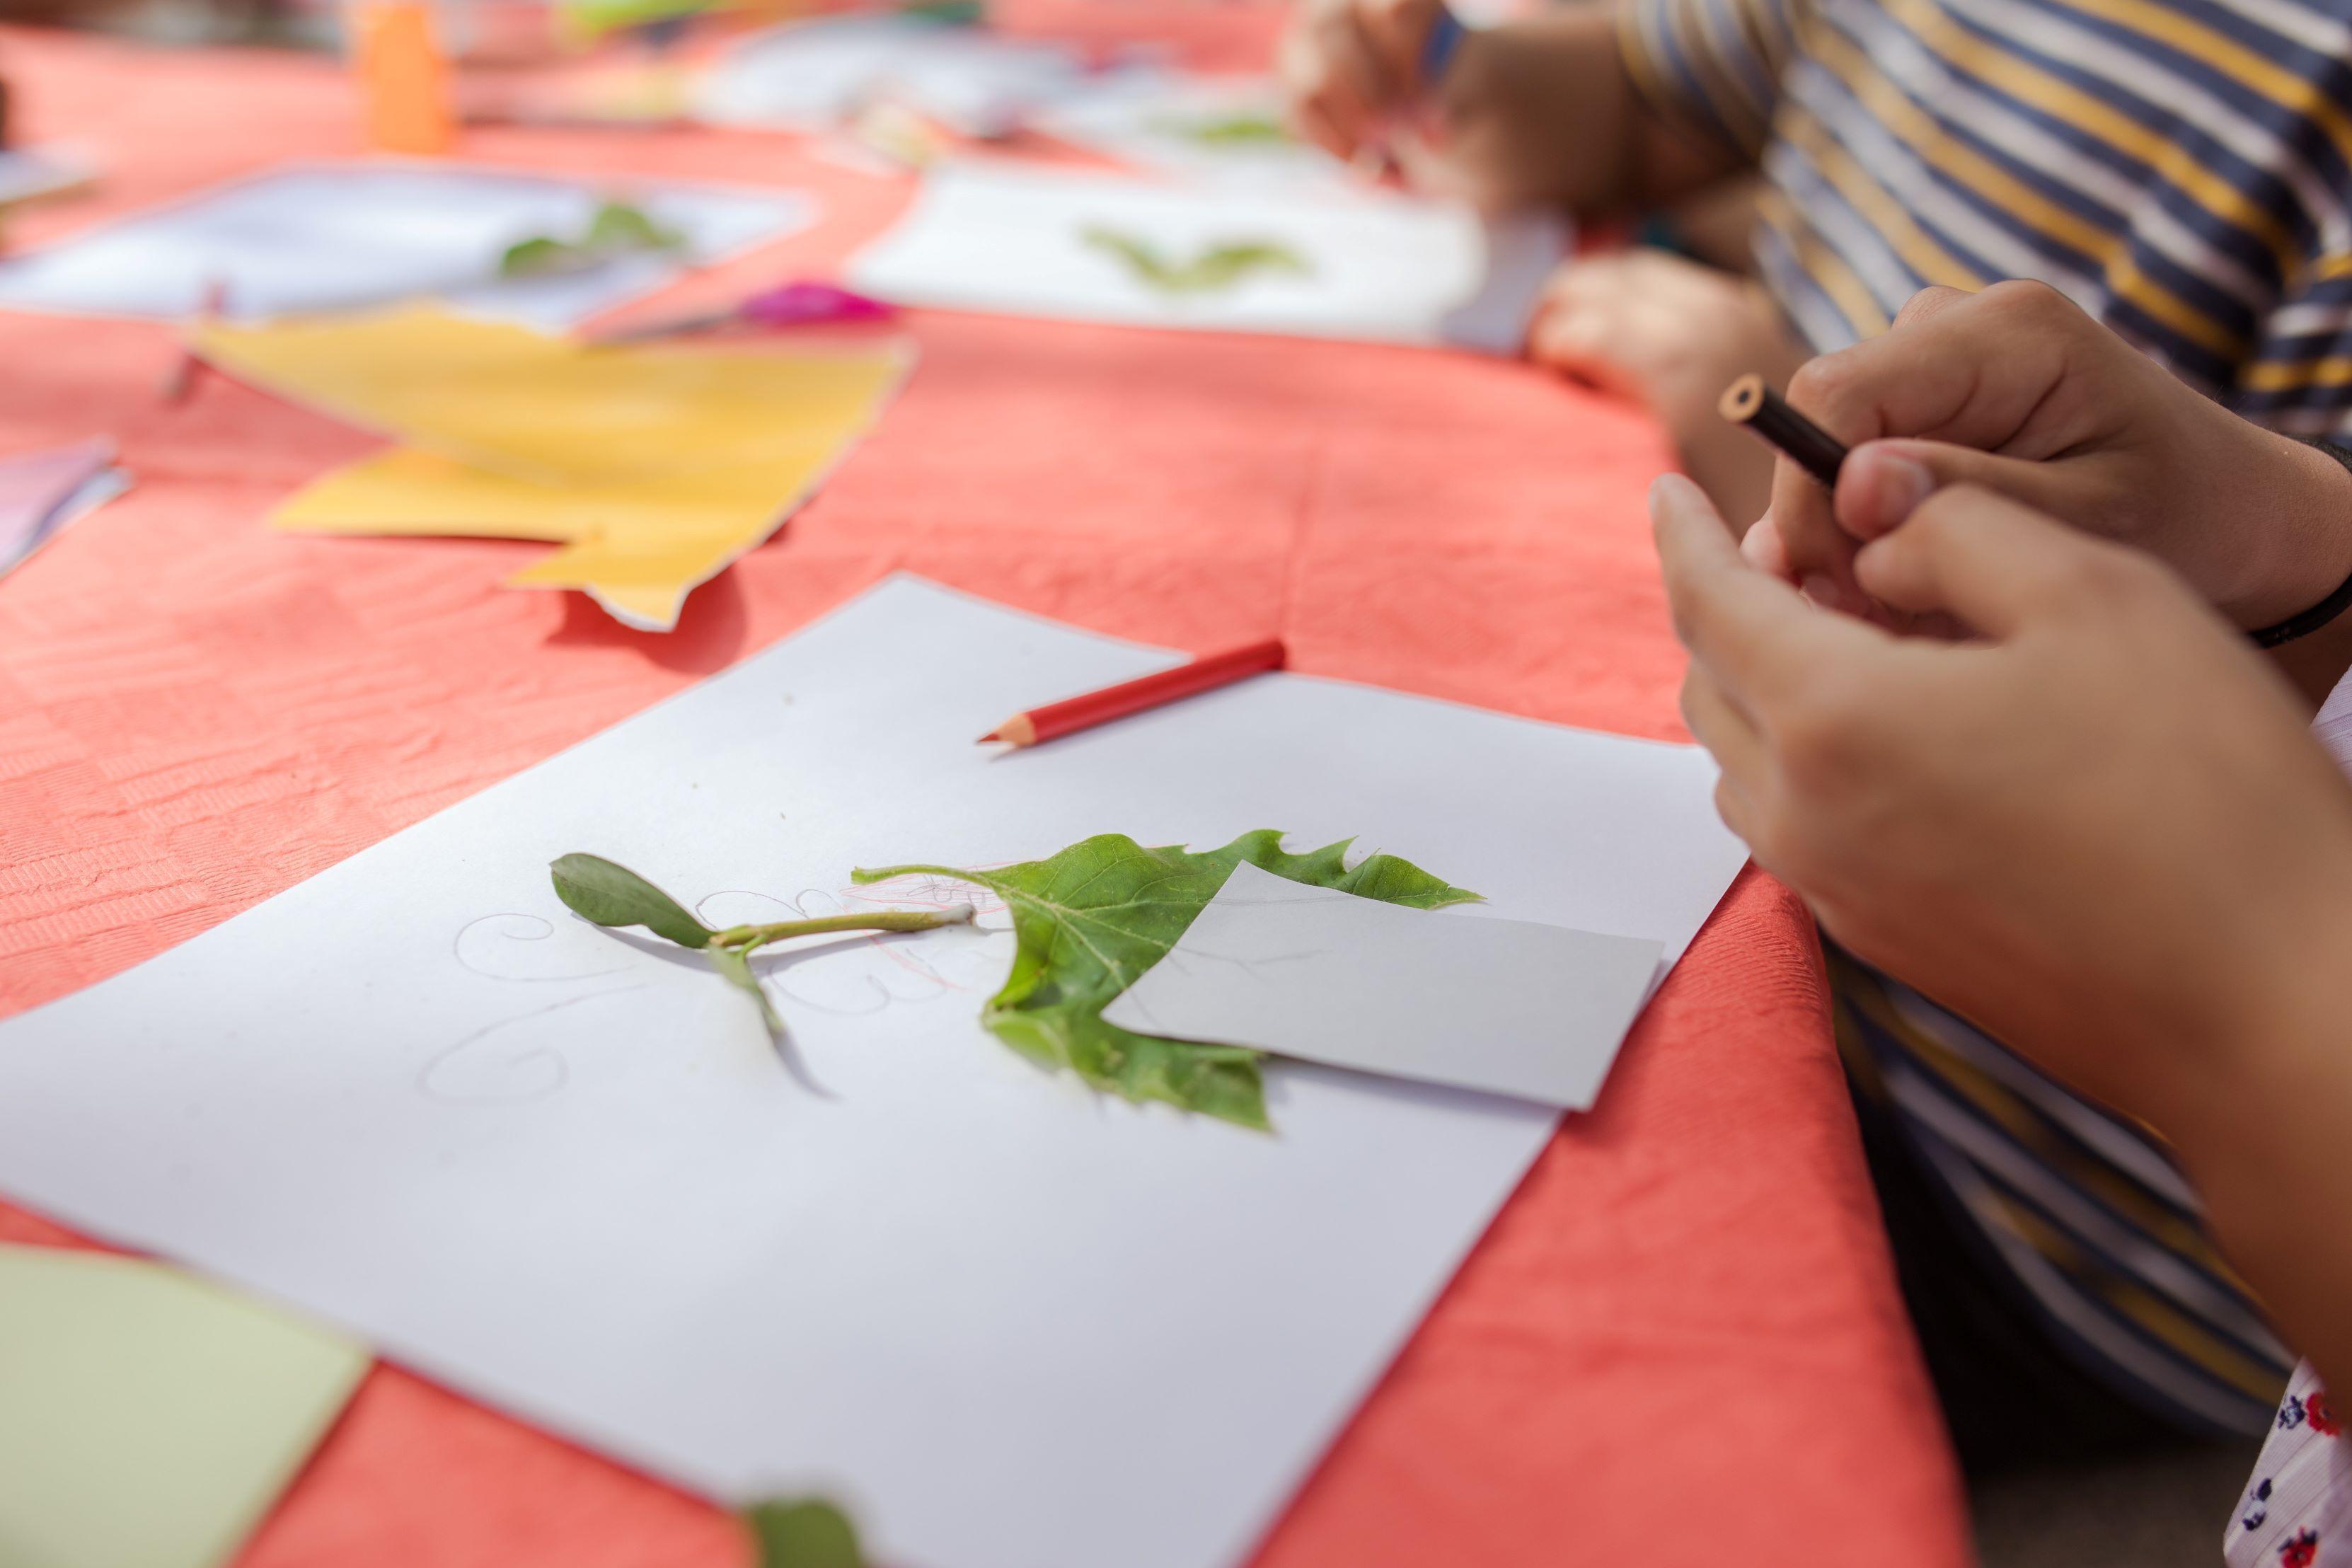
x: 655, y: 467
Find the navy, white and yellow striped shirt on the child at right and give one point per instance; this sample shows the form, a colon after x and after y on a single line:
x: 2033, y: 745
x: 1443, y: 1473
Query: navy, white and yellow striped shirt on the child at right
x: 2181, y: 170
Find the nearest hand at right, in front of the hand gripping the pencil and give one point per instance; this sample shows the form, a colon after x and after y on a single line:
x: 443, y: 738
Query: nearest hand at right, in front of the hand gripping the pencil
x: 2097, y: 831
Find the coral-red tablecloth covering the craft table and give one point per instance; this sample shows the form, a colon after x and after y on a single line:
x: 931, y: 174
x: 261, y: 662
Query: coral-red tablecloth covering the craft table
x: 1678, y: 1346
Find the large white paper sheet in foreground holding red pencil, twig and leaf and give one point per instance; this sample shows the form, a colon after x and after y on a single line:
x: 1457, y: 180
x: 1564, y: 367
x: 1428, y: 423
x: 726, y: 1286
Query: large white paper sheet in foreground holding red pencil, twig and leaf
x: 1010, y: 1322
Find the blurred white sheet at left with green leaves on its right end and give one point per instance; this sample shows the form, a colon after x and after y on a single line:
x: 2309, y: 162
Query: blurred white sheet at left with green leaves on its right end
x: 345, y: 236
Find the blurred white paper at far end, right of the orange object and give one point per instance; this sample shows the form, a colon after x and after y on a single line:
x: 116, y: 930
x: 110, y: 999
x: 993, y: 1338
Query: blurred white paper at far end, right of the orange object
x: 820, y: 74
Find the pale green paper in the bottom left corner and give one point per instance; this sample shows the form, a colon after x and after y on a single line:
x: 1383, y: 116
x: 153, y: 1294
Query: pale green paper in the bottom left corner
x: 149, y: 1419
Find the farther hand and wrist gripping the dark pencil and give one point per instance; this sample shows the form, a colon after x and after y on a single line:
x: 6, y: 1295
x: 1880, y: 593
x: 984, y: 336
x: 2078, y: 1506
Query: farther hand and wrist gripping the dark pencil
x: 2019, y: 391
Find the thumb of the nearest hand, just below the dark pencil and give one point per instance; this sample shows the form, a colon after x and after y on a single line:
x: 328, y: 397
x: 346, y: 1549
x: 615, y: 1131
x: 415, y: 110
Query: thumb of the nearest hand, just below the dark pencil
x: 1979, y: 558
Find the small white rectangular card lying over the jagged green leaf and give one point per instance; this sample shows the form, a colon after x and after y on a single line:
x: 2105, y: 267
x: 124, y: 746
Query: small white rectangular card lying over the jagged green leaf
x: 1441, y: 998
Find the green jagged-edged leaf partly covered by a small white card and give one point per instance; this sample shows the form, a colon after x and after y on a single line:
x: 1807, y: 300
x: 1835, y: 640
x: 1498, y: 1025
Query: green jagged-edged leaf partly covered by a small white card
x: 1090, y: 920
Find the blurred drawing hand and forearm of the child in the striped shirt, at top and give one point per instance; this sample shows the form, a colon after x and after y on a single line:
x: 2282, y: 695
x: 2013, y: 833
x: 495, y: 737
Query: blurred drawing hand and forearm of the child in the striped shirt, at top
x: 1535, y: 112
